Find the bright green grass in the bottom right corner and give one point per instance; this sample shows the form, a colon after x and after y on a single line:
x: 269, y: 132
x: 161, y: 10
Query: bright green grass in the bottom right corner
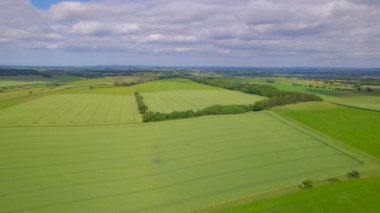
x: 350, y: 196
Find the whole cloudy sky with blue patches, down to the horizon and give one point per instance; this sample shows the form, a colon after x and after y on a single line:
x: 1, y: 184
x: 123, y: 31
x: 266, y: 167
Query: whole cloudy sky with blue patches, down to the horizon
x: 271, y: 33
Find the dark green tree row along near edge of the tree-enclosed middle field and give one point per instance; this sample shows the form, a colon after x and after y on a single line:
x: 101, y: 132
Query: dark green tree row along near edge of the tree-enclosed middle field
x: 212, y: 110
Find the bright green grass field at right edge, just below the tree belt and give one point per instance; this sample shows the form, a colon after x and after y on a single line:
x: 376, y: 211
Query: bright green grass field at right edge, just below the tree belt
x: 357, y: 128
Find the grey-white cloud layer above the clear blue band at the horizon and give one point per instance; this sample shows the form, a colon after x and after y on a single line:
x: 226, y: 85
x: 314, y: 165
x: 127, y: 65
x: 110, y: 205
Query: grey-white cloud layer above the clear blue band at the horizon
x: 214, y: 27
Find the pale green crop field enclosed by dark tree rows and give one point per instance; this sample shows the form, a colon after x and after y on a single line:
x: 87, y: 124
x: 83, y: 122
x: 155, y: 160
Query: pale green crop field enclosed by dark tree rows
x: 169, y: 101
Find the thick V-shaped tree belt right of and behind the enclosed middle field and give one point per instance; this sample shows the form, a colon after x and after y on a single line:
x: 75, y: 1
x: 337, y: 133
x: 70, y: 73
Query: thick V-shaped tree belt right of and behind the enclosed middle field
x: 275, y: 97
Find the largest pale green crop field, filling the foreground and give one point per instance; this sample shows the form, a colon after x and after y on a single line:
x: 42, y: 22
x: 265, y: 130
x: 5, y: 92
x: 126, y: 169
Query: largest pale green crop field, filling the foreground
x: 170, y: 166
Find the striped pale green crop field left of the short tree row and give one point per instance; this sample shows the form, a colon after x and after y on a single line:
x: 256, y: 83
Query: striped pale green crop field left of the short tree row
x: 72, y: 109
